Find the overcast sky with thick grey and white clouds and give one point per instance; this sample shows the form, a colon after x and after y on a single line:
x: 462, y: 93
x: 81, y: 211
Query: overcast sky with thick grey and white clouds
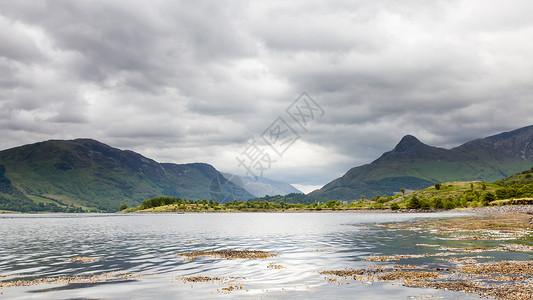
x: 219, y: 81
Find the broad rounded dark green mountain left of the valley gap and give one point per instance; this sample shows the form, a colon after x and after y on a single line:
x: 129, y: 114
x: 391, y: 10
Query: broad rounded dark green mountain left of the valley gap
x: 90, y: 175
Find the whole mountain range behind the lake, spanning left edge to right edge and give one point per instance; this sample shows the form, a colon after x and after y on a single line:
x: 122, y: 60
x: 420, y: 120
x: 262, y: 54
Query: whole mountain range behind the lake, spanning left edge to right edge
x: 87, y: 175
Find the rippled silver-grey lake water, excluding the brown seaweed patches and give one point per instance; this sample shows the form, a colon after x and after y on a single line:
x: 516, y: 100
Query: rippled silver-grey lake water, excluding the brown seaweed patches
x: 41, y: 246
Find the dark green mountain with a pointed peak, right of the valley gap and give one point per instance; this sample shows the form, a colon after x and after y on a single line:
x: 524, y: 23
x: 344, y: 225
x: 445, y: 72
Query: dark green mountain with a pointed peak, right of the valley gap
x: 415, y: 165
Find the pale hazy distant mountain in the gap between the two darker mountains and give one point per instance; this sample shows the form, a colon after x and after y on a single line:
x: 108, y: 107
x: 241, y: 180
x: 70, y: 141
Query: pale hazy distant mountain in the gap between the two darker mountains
x: 261, y: 186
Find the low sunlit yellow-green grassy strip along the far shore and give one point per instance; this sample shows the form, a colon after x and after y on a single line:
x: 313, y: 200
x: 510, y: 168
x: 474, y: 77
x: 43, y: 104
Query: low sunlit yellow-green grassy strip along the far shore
x: 453, y: 194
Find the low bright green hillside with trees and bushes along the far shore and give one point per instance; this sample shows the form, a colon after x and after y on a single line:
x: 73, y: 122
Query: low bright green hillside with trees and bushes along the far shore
x: 447, y: 195
